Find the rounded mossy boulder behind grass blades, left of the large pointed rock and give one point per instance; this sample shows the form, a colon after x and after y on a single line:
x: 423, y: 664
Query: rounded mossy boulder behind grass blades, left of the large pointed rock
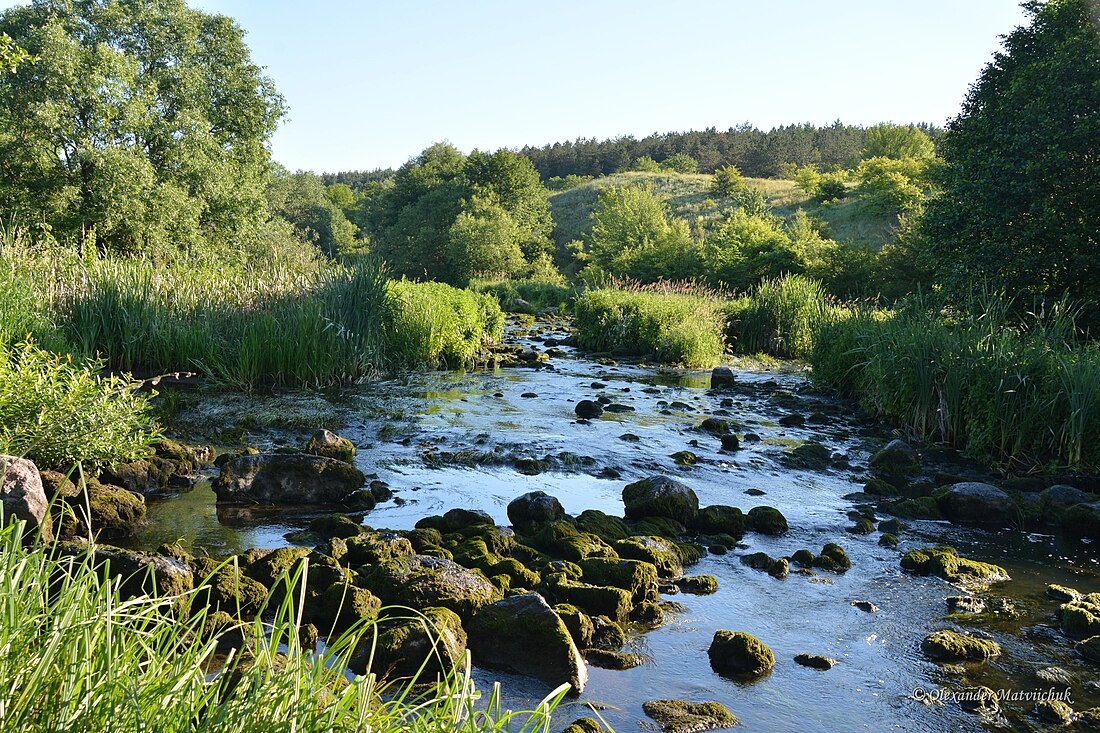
x: 426, y: 648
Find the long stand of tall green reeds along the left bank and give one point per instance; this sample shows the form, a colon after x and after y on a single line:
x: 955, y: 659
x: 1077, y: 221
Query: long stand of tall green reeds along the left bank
x: 301, y: 323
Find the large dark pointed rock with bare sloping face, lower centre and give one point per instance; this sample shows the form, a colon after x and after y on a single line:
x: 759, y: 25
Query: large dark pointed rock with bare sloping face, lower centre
x: 524, y: 634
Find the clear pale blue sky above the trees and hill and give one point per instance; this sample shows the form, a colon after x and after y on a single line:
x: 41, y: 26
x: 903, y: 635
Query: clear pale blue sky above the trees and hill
x: 371, y: 84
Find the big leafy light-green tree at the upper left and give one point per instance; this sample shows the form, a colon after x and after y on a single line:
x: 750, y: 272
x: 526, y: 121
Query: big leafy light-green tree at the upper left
x: 145, y: 124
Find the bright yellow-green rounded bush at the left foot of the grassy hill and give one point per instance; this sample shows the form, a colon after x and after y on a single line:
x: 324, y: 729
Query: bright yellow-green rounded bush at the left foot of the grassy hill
x: 634, y: 237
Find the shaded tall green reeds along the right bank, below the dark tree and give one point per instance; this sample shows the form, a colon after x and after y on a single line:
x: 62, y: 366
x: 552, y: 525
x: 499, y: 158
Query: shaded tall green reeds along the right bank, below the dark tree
x: 1022, y: 391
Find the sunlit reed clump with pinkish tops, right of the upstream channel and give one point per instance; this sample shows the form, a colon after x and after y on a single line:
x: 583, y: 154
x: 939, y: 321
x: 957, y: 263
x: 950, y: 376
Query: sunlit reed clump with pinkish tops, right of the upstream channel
x: 664, y: 323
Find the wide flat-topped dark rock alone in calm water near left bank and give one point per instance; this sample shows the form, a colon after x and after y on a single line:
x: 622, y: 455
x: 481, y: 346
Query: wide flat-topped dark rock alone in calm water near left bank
x: 288, y: 479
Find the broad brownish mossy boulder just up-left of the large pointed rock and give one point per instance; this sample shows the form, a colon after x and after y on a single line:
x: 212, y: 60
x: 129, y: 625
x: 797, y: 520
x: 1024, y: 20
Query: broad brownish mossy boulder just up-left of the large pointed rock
x: 421, y: 582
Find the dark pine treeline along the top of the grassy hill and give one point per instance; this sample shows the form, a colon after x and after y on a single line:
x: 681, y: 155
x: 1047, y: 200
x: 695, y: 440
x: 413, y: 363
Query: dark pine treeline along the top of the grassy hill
x: 756, y: 154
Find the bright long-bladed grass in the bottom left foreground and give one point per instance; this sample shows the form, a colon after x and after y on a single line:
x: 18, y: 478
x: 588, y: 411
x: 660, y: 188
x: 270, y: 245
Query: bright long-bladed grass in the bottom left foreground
x: 79, y: 657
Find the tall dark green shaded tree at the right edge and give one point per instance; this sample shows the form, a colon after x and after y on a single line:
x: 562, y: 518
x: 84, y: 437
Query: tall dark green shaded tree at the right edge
x: 1021, y: 183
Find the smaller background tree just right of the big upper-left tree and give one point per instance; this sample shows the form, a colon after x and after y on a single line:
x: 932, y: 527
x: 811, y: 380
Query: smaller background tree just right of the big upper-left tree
x: 303, y: 200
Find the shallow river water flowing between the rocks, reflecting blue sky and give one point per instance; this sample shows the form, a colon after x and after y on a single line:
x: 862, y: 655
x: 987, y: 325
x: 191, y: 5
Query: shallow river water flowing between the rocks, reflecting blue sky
x: 449, y: 440
